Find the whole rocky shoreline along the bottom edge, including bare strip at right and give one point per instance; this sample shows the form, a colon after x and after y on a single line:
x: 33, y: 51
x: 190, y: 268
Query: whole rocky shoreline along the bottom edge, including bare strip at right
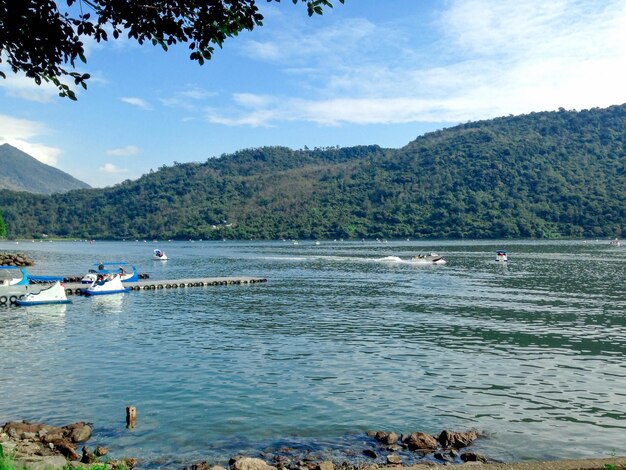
x: 40, y: 446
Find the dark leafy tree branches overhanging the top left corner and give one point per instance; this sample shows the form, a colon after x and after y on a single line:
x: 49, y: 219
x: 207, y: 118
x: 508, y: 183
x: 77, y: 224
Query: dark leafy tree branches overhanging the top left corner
x: 41, y: 38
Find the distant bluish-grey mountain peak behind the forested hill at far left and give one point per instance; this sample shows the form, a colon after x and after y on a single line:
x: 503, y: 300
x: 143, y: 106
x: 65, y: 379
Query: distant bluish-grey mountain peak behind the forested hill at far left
x: 21, y: 172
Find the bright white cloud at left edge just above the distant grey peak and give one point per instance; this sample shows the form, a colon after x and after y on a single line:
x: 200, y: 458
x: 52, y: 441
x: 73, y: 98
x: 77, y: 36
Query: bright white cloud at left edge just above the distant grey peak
x: 20, y: 134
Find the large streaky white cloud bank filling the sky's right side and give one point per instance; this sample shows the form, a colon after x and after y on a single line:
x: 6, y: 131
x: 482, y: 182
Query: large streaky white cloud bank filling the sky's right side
x: 493, y: 58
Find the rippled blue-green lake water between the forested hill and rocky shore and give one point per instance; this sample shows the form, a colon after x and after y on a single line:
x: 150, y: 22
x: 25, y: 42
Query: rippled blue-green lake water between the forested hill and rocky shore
x: 337, y: 342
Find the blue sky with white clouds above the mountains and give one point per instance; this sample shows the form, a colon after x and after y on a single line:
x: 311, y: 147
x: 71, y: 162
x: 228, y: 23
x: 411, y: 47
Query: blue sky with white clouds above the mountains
x: 367, y: 72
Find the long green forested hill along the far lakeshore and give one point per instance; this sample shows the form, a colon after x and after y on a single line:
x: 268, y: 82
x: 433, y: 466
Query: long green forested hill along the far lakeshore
x: 549, y: 174
